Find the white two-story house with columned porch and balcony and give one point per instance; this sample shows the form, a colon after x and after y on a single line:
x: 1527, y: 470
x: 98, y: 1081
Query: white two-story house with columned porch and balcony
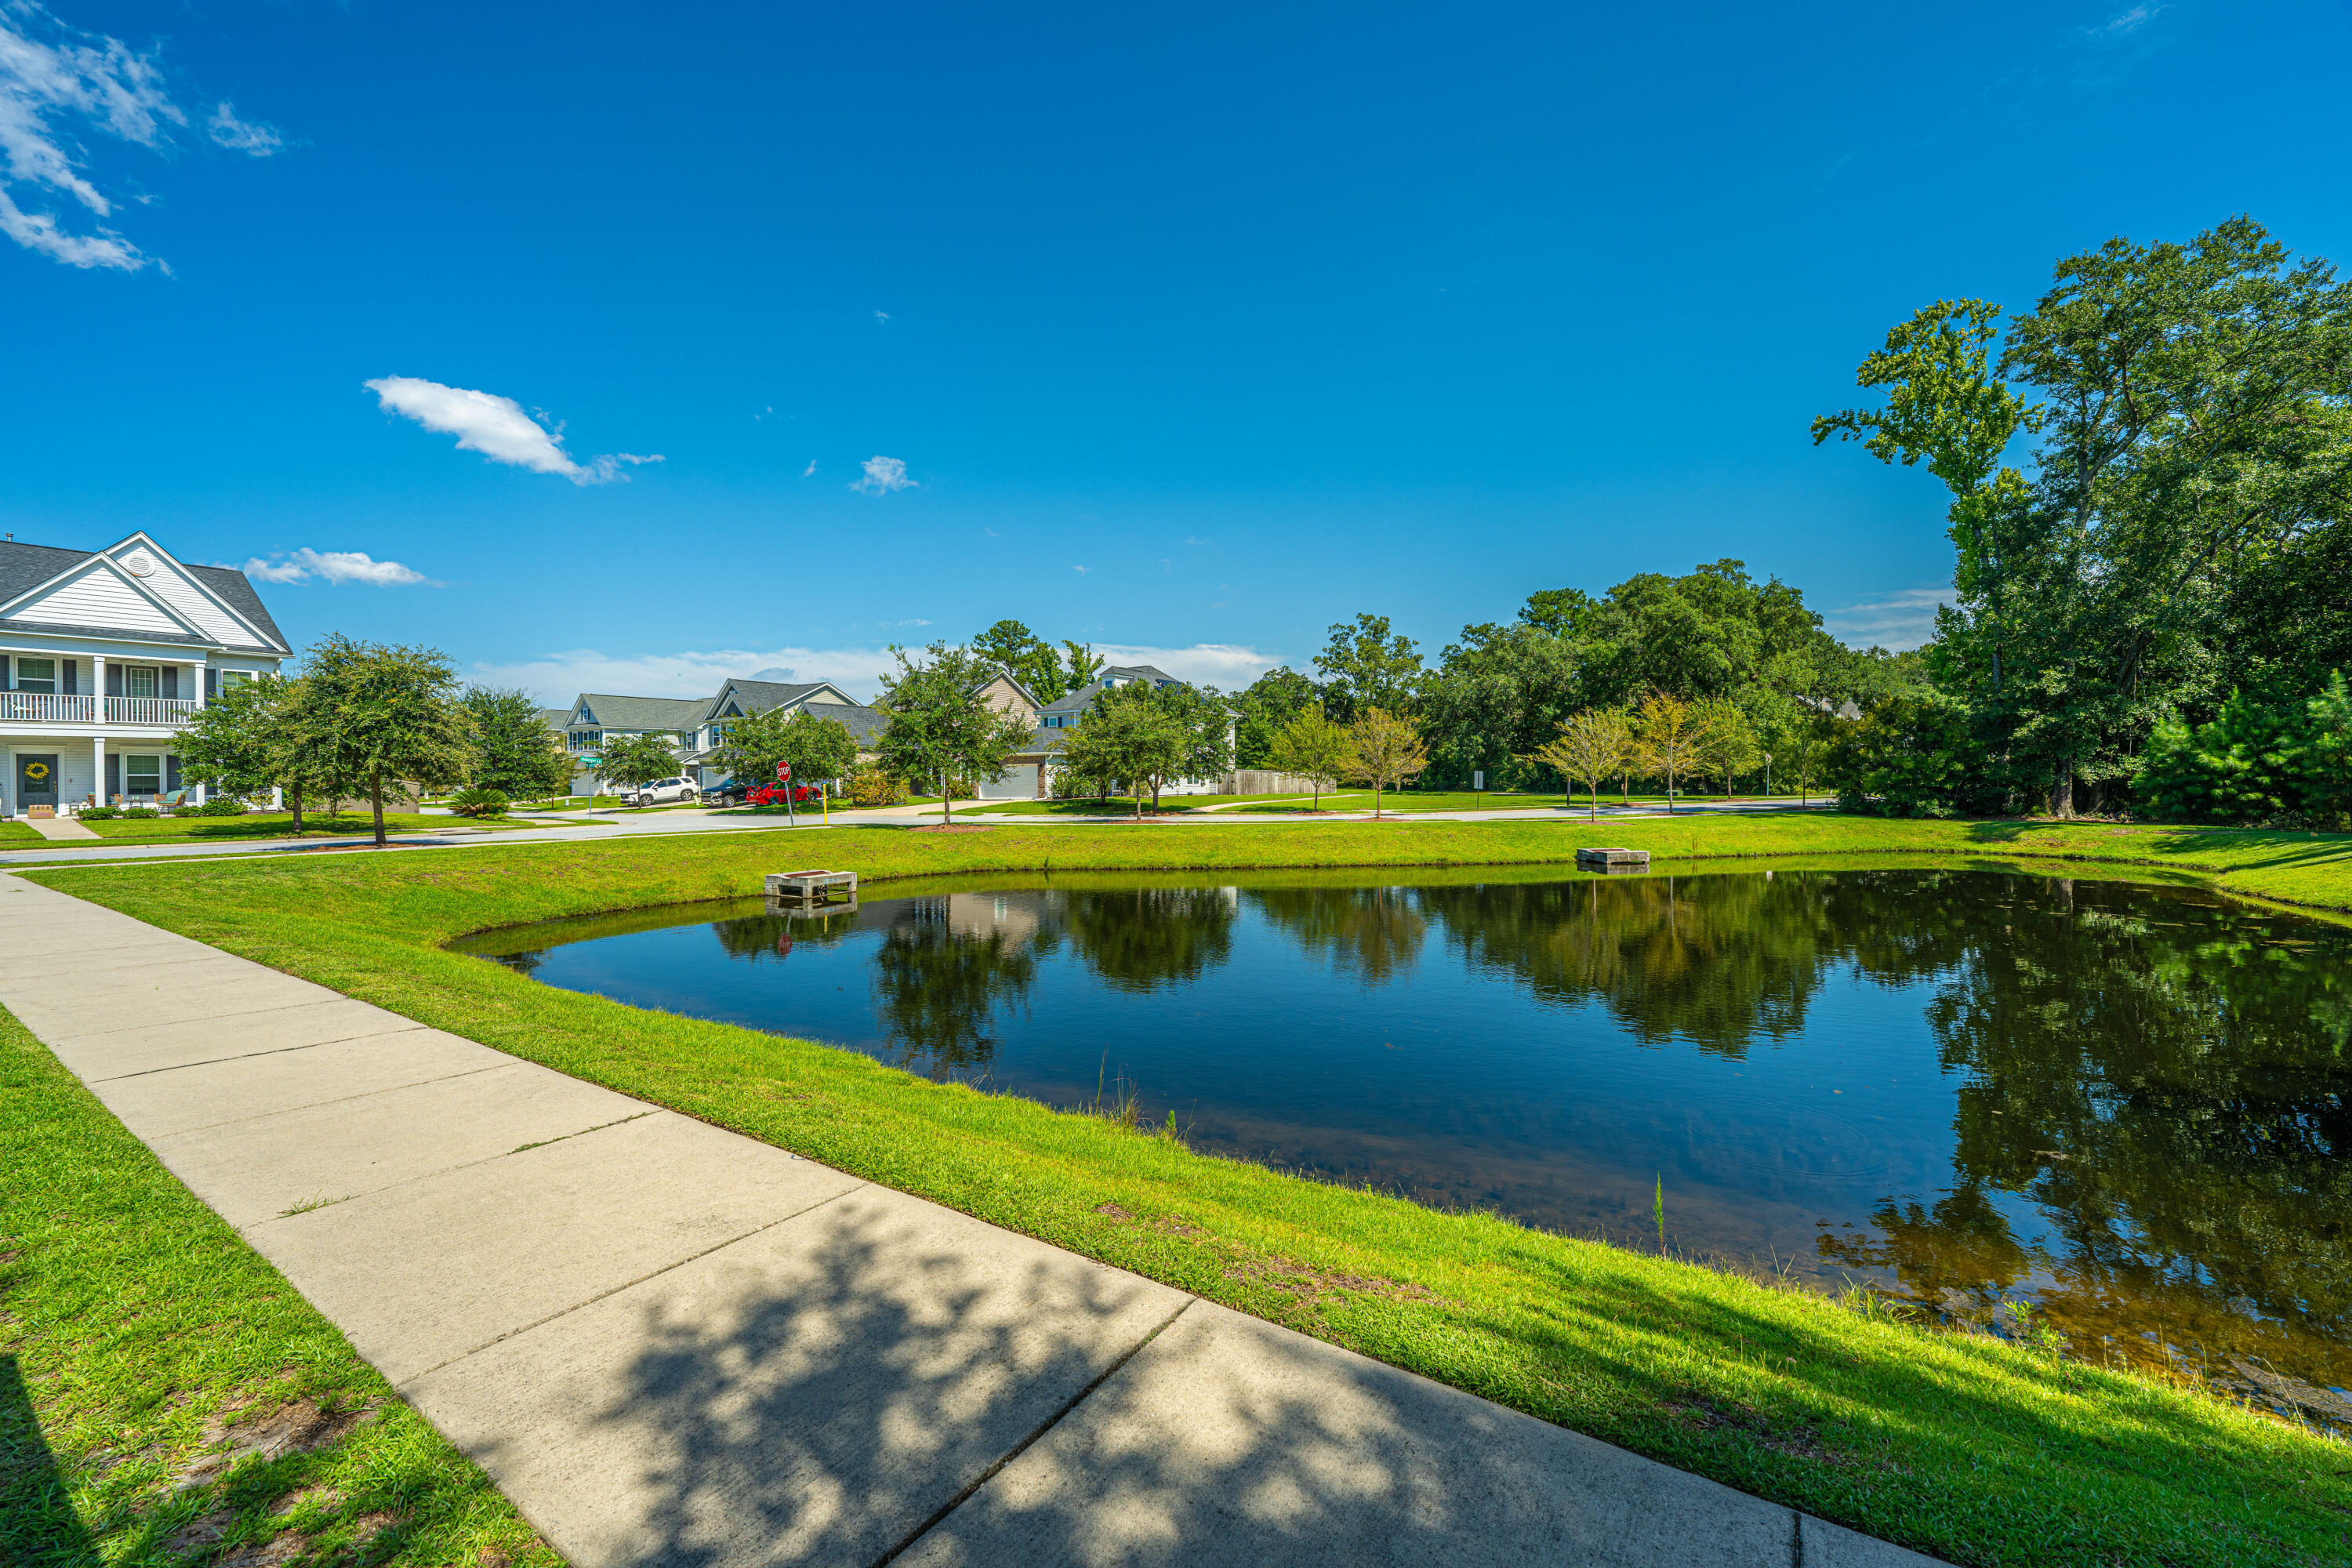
x: 105, y: 657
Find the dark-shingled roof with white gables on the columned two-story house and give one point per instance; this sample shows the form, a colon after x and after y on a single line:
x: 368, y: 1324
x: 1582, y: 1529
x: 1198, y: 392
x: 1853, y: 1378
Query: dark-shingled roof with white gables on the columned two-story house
x: 163, y: 617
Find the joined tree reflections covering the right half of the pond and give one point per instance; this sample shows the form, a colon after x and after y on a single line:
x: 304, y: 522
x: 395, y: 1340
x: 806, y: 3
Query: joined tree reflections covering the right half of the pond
x: 2163, y: 1078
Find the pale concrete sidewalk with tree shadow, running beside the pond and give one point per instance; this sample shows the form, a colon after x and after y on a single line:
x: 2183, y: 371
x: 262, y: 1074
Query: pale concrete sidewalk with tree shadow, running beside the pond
x: 679, y: 1346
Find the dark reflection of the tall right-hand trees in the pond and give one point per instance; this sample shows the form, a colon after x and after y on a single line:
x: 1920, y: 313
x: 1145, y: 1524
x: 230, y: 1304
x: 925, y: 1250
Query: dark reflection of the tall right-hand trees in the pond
x: 2170, y: 1085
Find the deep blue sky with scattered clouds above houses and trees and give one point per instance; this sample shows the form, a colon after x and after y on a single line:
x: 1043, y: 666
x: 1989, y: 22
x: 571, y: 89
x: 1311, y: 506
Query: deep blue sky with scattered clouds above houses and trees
x: 1184, y: 333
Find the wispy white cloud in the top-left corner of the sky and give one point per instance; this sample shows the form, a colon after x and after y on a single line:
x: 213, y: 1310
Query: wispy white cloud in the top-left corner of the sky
x: 98, y: 81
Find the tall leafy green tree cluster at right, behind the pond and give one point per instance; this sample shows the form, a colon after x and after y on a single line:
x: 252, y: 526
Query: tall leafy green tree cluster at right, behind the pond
x: 2149, y: 610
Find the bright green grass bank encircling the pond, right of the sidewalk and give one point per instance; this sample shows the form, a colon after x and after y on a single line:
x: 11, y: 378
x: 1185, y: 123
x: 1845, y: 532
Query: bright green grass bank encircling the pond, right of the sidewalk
x: 1958, y: 1445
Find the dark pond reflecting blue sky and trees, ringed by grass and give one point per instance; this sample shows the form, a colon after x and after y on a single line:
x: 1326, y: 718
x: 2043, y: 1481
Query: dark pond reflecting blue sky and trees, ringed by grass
x: 1967, y: 1087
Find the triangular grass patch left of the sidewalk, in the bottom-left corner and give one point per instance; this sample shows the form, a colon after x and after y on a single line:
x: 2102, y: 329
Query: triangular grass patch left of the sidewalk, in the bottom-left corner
x: 140, y: 1334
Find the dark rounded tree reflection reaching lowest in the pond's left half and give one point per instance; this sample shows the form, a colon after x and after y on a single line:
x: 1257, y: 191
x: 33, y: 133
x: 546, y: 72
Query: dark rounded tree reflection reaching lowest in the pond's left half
x: 940, y: 986
